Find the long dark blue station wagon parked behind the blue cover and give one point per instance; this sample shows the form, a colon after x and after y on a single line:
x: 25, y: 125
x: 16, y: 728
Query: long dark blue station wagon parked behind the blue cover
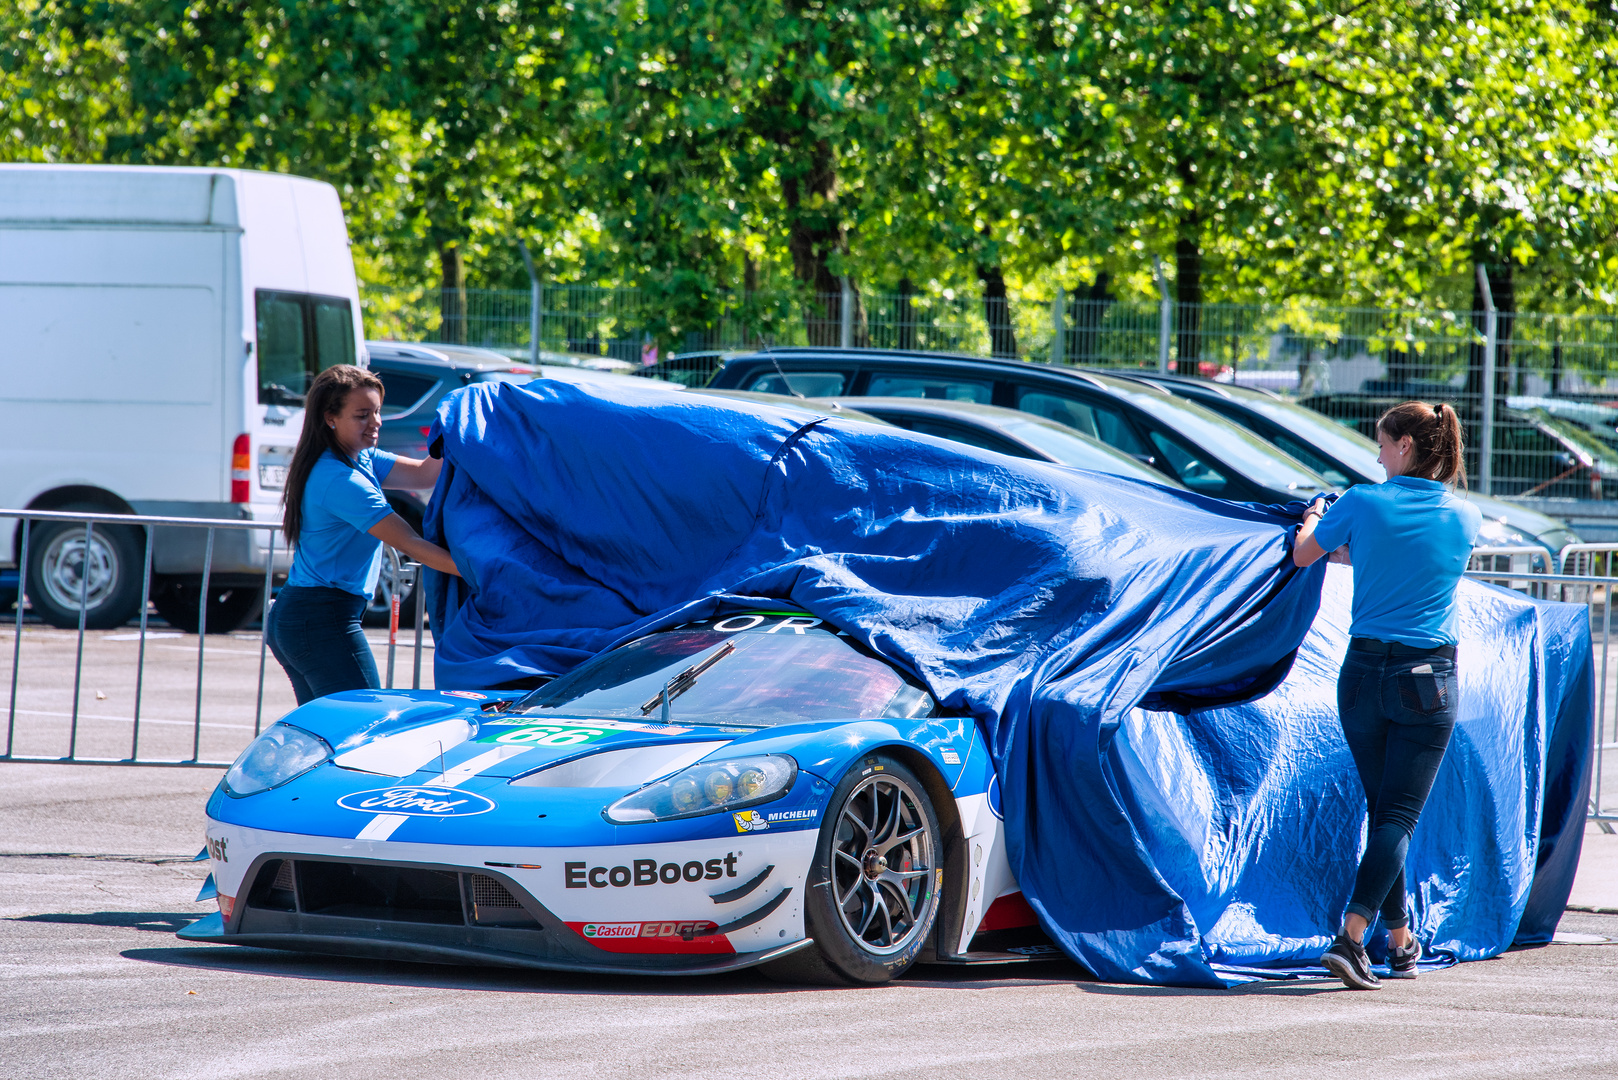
x: 1179, y: 438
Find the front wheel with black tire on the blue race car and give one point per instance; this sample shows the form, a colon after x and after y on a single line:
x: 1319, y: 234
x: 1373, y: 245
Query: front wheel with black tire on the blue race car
x: 868, y: 919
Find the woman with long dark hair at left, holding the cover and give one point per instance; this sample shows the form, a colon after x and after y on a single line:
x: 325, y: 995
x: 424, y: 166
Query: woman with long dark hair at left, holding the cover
x: 337, y: 521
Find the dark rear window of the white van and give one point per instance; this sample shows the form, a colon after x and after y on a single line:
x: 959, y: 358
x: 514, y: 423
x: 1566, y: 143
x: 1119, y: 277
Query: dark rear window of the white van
x: 300, y: 336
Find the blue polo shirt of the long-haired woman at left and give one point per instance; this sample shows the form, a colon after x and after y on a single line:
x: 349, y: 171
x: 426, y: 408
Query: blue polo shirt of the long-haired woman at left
x: 341, y: 508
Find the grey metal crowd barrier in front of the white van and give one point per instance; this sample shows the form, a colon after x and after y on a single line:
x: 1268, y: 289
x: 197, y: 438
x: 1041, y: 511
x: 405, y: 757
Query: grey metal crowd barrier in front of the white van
x: 402, y: 574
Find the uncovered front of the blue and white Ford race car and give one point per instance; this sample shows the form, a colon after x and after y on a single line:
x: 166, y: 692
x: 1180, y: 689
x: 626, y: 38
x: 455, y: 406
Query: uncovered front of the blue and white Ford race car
x: 748, y: 789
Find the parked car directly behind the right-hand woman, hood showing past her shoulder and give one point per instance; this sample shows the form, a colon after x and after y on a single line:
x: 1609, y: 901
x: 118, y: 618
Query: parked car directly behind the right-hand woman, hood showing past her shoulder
x: 1347, y: 457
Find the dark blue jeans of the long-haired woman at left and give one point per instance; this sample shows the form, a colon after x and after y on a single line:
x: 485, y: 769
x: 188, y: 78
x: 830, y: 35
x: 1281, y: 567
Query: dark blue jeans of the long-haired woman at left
x: 318, y: 639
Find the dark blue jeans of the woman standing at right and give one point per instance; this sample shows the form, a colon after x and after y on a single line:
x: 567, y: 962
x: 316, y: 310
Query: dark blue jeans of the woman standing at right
x: 1397, y: 716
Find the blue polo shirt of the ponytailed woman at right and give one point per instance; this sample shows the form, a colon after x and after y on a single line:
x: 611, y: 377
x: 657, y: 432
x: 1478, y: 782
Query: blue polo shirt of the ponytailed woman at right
x: 1410, y: 542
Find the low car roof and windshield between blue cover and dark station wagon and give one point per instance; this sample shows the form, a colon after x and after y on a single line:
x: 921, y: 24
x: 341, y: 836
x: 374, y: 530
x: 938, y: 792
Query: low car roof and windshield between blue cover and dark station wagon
x: 1009, y: 432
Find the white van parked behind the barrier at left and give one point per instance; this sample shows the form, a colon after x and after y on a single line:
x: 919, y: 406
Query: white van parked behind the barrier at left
x: 158, y: 333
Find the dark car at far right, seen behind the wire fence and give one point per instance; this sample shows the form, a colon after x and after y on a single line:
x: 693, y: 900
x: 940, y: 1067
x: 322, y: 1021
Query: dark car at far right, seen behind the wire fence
x: 1536, y: 454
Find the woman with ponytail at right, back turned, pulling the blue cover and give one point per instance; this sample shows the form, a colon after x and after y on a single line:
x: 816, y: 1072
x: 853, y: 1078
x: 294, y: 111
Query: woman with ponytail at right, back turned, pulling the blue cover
x: 1408, y: 540
